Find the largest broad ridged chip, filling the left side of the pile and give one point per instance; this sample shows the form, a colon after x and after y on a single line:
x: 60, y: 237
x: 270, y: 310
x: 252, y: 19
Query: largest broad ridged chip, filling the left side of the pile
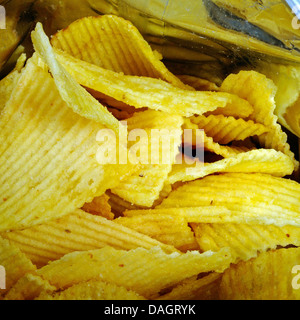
x: 48, y: 160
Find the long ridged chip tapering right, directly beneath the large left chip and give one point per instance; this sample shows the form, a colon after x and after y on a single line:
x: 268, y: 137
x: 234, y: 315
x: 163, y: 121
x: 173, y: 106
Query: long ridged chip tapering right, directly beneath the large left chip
x: 78, y: 231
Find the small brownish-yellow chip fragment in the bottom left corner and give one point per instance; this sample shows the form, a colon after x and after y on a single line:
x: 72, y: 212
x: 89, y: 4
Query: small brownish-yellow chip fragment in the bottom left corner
x: 28, y: 288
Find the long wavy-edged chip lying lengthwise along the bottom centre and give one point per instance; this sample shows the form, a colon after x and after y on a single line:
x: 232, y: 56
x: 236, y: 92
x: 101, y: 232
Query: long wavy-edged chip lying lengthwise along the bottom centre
x: 146, y: 272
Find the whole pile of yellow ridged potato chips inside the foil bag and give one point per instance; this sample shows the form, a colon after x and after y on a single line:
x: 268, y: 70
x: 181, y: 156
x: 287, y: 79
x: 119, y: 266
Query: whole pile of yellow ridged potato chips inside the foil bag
x: 73, y: 228
